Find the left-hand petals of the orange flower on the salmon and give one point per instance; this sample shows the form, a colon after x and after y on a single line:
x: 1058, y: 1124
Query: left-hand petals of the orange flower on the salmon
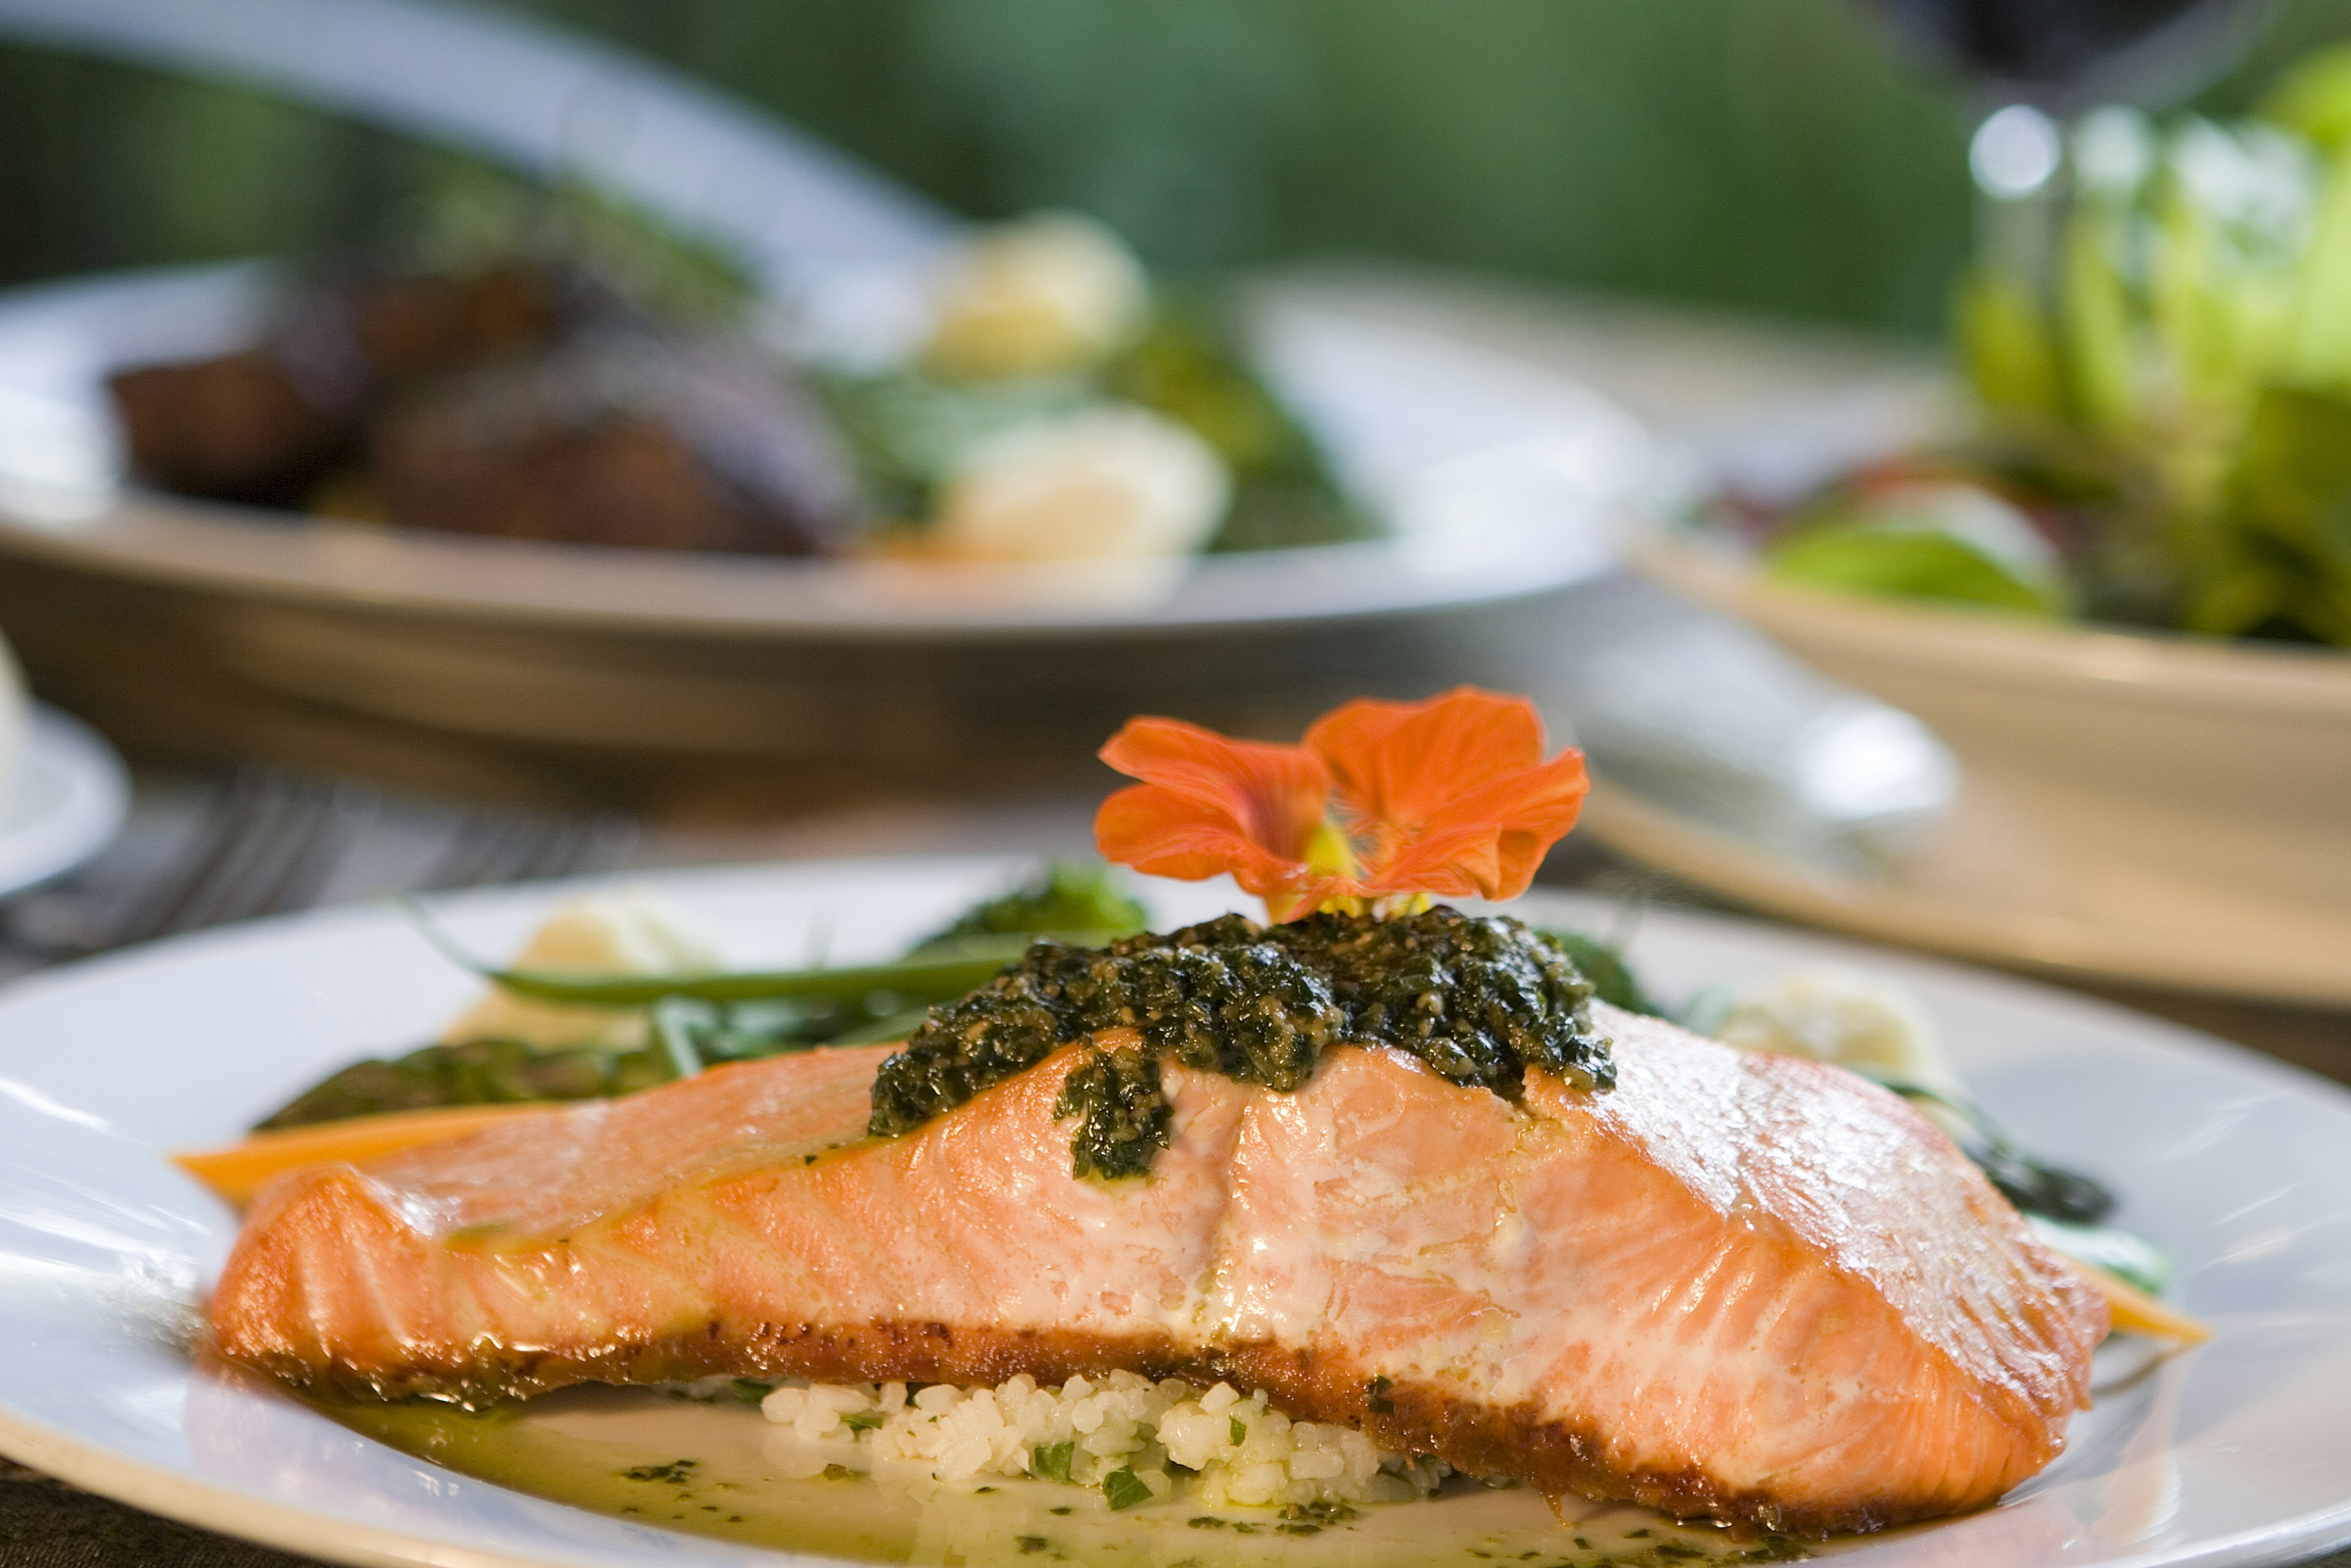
x: 1212, y: 805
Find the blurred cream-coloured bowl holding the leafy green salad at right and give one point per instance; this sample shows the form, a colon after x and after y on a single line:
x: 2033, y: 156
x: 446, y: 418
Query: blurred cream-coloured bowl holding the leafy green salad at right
x: 2136, y: 805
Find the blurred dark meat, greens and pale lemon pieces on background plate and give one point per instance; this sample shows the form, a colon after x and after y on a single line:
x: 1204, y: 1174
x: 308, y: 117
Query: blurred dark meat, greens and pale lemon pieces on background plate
x: 554, y: 368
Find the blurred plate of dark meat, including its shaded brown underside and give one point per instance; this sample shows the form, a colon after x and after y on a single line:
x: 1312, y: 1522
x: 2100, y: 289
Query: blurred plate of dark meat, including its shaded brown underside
x: 1499, y: 483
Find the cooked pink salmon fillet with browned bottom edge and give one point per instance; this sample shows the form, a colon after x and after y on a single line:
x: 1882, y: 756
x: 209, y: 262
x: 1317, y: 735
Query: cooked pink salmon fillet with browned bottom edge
x: 1736, y: 1285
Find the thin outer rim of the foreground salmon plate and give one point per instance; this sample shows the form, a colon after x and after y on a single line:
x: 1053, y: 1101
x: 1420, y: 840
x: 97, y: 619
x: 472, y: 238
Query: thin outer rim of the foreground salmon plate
x: 337, y: 1539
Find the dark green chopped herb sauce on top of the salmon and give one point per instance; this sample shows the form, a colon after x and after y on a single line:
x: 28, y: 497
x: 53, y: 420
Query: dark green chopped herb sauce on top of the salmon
x: 1475, y: 998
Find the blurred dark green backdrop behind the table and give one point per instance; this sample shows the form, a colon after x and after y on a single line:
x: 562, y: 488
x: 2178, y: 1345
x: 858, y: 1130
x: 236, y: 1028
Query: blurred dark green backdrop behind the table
x: 1779, y: 156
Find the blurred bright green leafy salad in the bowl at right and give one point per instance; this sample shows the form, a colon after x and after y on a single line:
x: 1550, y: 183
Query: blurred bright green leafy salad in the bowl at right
x: 2157, y: 333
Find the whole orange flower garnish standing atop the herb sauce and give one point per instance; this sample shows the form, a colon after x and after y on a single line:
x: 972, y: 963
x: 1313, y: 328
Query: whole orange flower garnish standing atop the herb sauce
x: 1379, y: 810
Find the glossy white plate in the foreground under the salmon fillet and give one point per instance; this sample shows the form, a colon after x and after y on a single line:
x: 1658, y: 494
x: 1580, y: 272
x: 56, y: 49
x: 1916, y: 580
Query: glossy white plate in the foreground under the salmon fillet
x: 2232, y: 1454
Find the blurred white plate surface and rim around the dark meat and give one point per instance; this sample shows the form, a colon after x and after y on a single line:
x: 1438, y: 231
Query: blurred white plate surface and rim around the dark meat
x: 1494, y: 483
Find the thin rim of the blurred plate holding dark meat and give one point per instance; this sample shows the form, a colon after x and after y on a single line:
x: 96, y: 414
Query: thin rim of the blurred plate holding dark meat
x: 286, y: 558
